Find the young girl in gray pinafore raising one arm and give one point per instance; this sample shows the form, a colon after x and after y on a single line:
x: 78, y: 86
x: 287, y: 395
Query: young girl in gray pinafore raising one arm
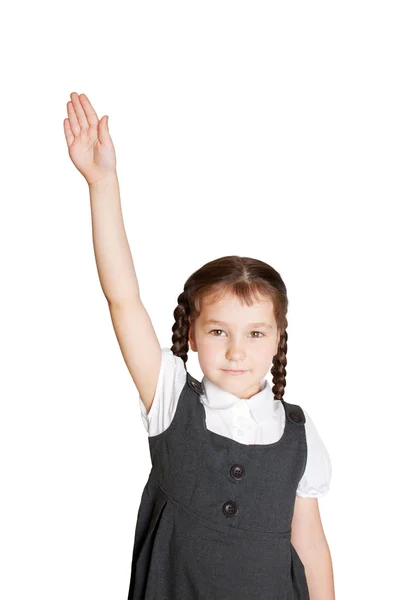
x: 230, y: 508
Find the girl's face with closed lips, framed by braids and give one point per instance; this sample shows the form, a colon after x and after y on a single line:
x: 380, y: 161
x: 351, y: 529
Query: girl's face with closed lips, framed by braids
x: 236, y: 340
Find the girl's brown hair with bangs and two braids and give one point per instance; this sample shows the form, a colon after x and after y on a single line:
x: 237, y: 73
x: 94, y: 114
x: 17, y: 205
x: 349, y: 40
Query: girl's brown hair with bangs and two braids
x: 247, y: 278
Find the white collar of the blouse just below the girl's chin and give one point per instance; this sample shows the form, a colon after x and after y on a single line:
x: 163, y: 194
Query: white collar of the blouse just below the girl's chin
x: 262, y: 405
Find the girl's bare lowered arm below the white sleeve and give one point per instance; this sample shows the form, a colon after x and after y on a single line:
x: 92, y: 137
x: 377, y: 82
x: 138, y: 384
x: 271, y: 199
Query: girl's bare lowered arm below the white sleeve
x: 309, y: 540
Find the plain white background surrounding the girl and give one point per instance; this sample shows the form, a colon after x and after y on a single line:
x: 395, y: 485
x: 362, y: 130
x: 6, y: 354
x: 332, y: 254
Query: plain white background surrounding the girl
x: 260, y: 129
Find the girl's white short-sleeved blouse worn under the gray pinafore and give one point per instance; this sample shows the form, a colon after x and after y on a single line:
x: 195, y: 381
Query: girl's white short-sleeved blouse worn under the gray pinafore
x: 257, y: 420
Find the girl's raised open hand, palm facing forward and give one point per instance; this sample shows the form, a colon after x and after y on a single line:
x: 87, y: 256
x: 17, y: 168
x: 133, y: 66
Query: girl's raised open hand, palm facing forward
x: 90, y: 146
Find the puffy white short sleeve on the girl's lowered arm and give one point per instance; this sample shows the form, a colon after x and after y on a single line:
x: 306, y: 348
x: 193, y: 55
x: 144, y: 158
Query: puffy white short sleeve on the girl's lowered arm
x: 317, y: 476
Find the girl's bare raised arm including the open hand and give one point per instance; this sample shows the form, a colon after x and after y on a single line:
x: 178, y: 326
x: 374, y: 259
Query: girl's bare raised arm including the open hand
x: 92, y: 151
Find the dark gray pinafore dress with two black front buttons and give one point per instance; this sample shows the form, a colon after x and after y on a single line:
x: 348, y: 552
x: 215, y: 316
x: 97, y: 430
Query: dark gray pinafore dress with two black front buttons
x: 215, y: 516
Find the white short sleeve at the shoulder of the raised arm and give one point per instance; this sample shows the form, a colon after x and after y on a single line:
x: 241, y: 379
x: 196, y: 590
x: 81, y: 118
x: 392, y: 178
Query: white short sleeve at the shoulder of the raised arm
x: 171, y: 380
